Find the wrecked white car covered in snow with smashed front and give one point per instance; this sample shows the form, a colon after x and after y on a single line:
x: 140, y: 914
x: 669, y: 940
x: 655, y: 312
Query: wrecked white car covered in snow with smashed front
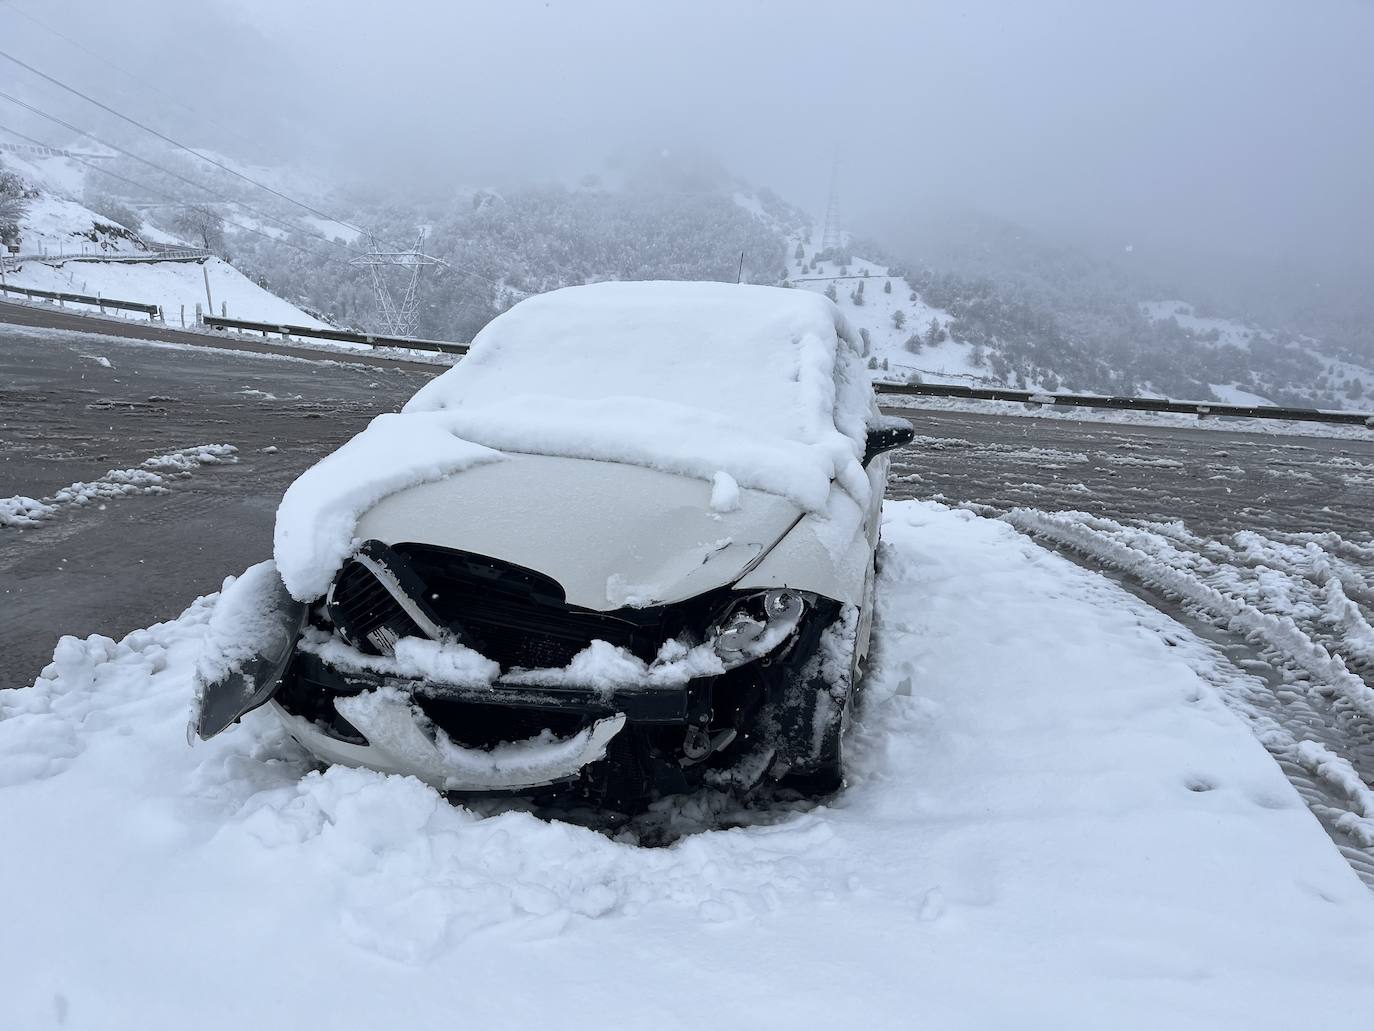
x: 624, y: 548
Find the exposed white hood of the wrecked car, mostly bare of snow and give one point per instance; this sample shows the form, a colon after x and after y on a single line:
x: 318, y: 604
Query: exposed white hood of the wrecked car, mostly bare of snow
x: 612, y: 535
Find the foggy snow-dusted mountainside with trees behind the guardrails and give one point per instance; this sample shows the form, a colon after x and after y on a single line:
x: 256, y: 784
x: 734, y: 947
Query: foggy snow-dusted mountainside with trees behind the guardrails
x: 1006, y: 310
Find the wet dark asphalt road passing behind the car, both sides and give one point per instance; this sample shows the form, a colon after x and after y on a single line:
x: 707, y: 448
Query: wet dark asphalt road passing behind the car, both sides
x: 128, y: 562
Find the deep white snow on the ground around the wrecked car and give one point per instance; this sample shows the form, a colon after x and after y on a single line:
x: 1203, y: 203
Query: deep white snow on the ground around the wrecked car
x: 1053, y: 821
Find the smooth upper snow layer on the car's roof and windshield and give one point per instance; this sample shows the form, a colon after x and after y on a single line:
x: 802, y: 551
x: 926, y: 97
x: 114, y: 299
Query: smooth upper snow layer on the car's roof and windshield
x: 759, y: 355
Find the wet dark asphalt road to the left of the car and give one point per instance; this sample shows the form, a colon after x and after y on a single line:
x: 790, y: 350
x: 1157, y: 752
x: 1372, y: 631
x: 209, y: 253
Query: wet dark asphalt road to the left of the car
x: 126, y: 563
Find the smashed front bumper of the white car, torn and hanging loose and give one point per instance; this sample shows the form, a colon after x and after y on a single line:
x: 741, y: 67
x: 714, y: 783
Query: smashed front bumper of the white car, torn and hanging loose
x: 745, y: 699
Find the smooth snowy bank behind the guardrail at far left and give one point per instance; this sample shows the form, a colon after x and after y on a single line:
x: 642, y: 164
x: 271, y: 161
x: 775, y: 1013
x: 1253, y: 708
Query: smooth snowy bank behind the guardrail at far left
x: 175, y: 285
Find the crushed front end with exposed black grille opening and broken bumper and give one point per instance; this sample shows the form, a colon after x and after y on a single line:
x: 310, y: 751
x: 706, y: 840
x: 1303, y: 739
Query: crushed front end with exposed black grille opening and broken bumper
x: 479, y: 677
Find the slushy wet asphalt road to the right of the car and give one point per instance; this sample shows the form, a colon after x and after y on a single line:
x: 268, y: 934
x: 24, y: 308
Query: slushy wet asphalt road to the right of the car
x: 1217, y: 482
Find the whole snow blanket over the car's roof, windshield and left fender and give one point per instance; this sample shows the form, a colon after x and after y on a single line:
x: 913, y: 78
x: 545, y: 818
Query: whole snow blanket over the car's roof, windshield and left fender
x: 761, y: 384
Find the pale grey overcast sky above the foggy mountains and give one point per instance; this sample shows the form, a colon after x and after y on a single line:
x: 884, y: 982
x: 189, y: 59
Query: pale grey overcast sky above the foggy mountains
x: 1226, y: 126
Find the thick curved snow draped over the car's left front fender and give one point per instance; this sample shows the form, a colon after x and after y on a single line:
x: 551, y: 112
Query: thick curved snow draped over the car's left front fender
x: 317, y: 520
